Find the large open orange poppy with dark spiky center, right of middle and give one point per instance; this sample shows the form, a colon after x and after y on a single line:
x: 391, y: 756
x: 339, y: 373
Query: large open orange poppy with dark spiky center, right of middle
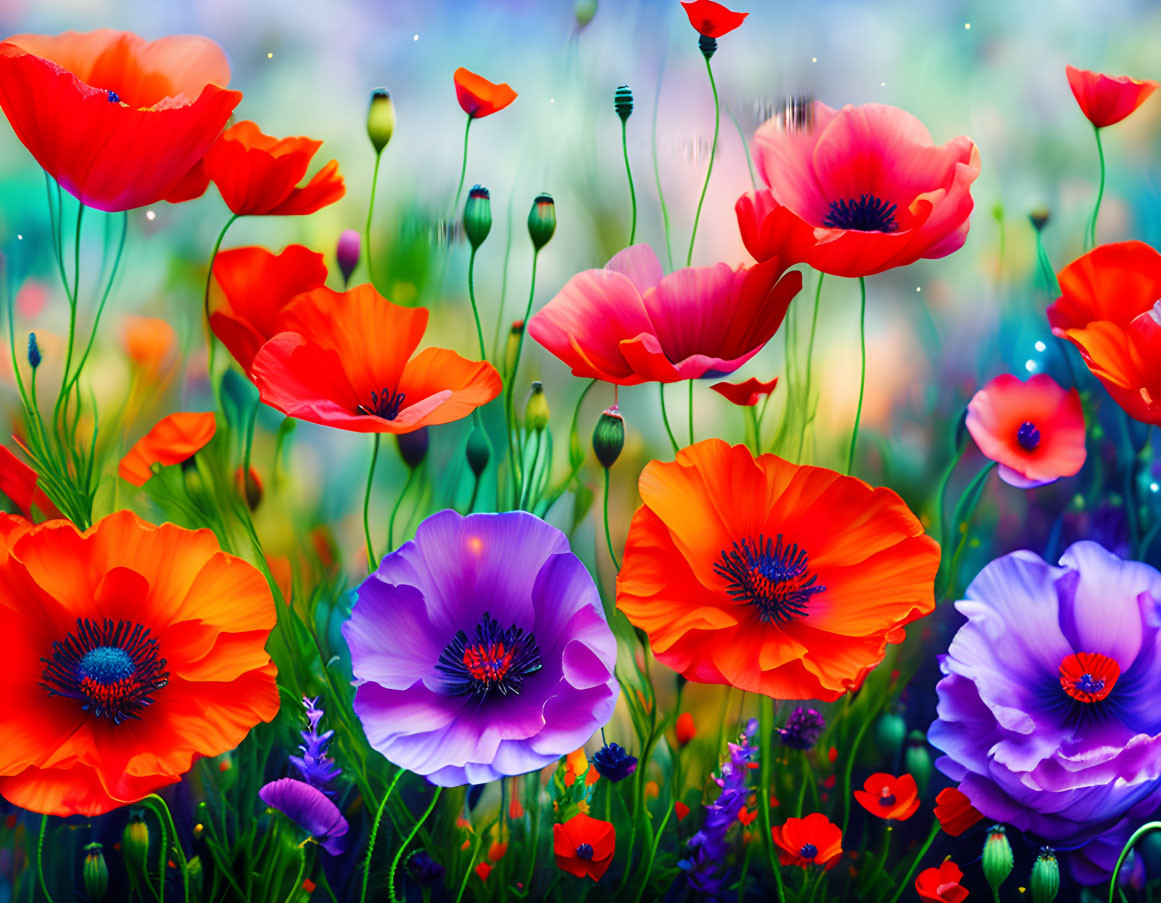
x: 773, y: 577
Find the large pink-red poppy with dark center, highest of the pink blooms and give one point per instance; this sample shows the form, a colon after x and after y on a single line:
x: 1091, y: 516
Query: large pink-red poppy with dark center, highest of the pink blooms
x: 857, y: 191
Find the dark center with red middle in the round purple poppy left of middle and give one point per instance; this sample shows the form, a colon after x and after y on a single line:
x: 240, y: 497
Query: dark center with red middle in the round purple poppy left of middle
x: 491, y: 661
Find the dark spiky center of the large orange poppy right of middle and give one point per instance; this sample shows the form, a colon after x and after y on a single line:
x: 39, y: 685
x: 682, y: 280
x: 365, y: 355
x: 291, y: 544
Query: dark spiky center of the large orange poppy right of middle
x: 770, y: 576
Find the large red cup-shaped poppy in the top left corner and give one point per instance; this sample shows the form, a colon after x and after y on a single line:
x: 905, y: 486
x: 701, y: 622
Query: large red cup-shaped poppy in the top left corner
x: 117, y: 120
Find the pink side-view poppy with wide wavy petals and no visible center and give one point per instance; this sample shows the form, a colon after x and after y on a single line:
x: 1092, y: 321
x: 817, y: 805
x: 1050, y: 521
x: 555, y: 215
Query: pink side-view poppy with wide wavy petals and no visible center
x: 631, y: 324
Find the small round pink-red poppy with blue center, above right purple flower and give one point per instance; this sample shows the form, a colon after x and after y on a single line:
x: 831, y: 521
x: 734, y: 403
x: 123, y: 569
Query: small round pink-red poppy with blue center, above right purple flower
x: 1034, y: 430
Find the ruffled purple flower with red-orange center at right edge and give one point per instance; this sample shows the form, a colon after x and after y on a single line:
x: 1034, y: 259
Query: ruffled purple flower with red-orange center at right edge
x: 1048, y: 713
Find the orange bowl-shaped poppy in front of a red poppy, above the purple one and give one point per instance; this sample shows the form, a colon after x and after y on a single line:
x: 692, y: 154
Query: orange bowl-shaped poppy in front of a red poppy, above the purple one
x: 345, y: 360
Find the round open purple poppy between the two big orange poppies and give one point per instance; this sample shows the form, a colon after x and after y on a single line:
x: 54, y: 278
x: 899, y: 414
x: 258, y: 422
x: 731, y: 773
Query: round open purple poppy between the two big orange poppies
x: 481, y: 651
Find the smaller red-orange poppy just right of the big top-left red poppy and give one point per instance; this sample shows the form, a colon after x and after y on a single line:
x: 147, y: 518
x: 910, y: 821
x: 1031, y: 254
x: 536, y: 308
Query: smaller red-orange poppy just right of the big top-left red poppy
x: 258, y: 176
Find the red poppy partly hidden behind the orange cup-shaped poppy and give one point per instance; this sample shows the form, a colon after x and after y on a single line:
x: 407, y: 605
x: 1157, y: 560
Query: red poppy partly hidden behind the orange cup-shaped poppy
x: 250, y: 290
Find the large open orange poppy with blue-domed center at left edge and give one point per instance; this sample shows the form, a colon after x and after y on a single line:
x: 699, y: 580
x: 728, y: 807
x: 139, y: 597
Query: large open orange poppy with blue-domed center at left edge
x: 131, y: 652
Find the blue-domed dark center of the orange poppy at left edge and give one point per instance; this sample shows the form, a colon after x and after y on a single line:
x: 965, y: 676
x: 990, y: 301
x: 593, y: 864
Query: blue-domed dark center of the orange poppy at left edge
x: 112, y: 669
